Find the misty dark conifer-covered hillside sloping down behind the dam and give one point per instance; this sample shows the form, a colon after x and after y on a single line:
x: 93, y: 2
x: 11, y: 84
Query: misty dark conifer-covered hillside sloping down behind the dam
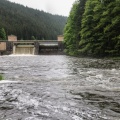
x: 27, y: 23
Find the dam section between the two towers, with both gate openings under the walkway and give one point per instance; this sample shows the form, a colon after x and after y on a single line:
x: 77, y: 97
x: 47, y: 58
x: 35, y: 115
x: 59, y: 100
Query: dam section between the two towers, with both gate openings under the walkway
x: 36, y: 46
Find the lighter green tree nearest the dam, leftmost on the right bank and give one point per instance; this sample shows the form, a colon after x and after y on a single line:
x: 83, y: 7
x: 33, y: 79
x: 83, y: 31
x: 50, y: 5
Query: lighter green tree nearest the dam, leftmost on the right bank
x: 72, y: 28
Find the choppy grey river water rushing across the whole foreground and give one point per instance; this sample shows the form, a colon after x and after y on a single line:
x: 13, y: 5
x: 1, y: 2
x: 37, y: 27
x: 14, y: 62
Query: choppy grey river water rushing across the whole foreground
x: 59, y: 88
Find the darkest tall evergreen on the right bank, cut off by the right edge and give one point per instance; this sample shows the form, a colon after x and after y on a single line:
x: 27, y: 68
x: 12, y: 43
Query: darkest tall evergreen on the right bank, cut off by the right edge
x: 112, y: 27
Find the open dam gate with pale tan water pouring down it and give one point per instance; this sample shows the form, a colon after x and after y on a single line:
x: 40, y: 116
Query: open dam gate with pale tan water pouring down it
x: 24, y: 49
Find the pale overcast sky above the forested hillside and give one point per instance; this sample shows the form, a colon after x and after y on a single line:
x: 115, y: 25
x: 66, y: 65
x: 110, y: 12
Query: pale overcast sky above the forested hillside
x: 60, y: 7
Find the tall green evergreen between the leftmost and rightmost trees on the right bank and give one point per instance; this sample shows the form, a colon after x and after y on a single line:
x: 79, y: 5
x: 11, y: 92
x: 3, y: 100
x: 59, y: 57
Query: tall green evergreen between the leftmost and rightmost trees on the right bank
x: 89, y: 21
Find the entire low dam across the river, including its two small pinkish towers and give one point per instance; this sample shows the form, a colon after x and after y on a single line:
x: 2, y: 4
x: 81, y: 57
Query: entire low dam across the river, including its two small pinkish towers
x: 34, y: 47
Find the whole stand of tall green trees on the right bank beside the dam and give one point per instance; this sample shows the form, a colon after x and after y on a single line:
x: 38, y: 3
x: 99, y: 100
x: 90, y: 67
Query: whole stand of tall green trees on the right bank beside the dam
x: 93, y: 28
